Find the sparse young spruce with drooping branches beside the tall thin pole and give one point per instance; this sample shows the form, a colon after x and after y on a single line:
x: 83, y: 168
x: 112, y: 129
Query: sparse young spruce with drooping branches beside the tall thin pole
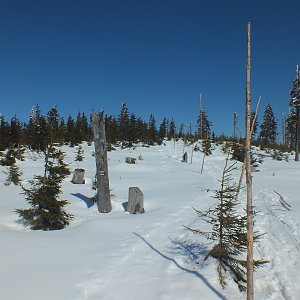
x: 228, y: 233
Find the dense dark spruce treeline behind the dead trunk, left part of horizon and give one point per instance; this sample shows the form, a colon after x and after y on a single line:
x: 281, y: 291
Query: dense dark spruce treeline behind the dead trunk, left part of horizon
x: 44, y: 129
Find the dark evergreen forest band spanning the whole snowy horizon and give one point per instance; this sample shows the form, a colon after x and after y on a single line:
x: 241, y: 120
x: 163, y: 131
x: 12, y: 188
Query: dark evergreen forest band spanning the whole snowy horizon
x: 127, y: 129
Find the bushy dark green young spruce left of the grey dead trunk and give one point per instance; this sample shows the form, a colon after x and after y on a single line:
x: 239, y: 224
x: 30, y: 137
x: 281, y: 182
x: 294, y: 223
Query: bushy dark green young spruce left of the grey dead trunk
x: 46, y: 212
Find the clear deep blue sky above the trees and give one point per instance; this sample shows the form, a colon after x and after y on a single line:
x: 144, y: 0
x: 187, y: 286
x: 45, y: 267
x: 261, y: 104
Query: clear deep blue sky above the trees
x: 156, y: 56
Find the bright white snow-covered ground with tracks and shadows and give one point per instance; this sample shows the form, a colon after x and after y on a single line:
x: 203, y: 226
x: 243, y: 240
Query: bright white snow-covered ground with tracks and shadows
x: 149, y: 256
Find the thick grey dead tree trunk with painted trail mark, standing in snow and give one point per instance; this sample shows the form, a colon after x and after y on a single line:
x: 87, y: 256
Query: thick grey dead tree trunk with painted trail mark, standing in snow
x: 103, y: 193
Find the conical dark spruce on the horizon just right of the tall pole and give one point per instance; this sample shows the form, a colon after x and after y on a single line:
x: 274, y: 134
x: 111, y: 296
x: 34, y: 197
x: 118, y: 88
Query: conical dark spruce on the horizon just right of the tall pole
x: 268, y: 128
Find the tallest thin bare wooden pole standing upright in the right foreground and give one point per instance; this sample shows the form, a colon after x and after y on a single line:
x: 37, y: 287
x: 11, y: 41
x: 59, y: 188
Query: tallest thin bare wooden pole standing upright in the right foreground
x: 250, y: 293
